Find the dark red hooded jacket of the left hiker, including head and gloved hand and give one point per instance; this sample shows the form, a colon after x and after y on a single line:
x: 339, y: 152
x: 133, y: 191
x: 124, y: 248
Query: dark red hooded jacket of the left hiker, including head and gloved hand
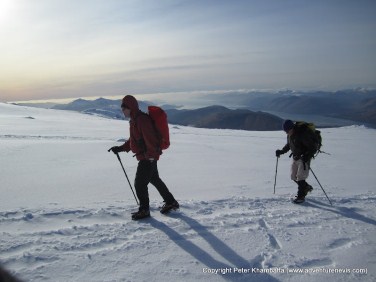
x: 143, y: 140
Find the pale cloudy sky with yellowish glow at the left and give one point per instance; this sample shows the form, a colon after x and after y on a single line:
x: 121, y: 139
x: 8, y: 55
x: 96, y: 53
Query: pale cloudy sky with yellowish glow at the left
x: 54, y: 49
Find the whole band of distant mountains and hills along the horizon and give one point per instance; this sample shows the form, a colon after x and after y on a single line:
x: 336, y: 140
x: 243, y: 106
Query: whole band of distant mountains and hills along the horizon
x: 256, y: 110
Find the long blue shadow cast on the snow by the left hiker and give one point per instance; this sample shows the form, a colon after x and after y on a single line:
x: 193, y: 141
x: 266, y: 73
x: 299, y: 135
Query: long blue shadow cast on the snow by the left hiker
x: 220, y: 247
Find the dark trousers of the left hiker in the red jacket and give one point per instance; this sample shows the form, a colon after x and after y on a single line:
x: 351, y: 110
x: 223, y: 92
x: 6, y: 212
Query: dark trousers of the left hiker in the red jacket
x: 147, y: 172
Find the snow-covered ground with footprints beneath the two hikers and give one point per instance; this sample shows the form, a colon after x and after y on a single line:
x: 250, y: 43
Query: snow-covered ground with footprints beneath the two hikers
x: 65, y: 205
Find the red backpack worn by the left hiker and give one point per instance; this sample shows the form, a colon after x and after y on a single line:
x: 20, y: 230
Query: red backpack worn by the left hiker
x: 159, y: 117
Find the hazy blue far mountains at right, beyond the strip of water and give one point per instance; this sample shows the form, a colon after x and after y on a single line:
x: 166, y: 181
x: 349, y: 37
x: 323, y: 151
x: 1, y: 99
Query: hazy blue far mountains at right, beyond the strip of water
x: 357, y: 104
